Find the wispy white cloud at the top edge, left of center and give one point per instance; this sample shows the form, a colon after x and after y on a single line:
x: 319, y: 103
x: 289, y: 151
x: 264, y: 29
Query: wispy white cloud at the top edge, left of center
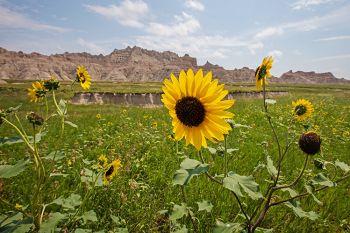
x: 128, y: 13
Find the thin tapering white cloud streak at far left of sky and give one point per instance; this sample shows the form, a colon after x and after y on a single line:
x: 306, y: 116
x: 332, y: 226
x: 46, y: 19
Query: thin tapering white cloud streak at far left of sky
x: 13, y: 19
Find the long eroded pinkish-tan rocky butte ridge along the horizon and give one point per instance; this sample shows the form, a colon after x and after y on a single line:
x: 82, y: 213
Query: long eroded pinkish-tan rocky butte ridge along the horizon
x: 132, y: 65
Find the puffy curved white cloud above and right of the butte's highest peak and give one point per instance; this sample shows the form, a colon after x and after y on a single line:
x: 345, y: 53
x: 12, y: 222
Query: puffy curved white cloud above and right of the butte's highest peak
x: 184, y: 24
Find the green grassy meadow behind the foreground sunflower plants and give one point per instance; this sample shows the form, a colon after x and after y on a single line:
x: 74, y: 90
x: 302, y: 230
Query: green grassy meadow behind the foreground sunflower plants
x: 142, y: 197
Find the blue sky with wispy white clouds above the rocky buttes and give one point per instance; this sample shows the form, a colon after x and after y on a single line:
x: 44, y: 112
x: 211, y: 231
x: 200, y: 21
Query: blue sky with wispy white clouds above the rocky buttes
x: 308, y: 35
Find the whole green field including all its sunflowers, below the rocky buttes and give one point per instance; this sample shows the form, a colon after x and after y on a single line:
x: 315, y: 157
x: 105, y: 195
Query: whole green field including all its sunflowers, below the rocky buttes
x: 199, y: 164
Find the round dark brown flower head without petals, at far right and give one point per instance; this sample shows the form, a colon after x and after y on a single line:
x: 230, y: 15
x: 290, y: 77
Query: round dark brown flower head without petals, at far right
x: 310, y: 143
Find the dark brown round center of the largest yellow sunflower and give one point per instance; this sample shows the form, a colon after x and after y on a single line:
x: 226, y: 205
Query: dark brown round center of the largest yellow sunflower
x: 190, y: 111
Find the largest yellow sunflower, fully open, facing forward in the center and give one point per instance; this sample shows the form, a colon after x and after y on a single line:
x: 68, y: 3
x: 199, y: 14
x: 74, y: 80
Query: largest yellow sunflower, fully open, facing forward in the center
x: 197, y: 108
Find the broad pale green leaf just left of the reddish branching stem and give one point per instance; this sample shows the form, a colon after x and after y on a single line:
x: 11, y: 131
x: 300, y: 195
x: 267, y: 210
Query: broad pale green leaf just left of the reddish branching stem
x: 235, y: 182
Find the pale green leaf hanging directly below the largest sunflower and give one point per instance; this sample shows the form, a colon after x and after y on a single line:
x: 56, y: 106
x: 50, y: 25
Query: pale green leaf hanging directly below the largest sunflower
x: 188, y: 169
